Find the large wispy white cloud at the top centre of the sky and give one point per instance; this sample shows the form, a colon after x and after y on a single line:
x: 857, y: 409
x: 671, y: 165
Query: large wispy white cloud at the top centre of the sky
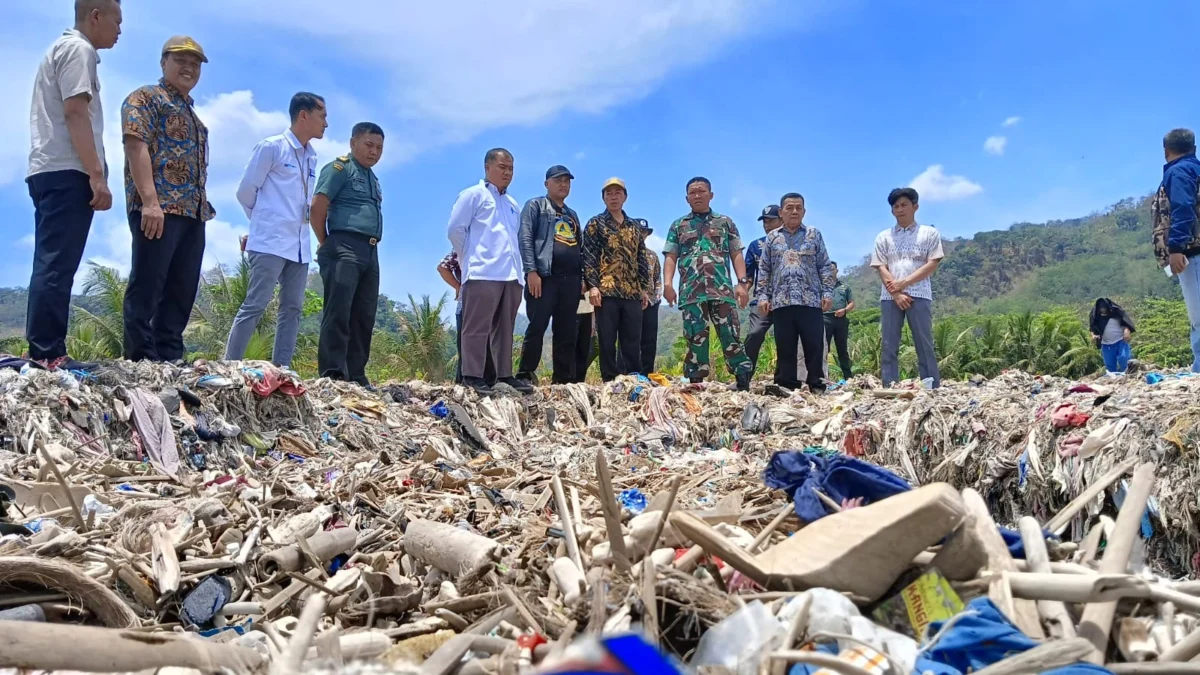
x: 466, y: 70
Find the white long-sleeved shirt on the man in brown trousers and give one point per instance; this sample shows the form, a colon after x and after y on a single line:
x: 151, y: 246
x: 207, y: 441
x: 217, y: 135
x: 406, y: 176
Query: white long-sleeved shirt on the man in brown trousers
x: 484, y: 228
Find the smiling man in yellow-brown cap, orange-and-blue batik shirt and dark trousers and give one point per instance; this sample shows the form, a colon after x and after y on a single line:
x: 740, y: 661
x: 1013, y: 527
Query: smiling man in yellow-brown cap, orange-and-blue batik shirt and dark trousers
x: 166, y: 170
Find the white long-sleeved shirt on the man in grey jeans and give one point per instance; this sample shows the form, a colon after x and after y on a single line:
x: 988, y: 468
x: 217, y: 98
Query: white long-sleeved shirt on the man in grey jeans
x: 277, y: 193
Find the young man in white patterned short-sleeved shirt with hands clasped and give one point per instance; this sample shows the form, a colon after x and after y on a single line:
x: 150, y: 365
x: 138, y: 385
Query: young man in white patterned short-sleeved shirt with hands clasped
x: 907, y: 255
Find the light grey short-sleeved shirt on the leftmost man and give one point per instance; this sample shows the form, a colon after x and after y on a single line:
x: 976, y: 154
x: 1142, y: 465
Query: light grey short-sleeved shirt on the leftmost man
x: 68, y: 70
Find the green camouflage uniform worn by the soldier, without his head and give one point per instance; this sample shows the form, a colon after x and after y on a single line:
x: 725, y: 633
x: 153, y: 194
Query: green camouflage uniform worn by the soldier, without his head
x: 704, y: 246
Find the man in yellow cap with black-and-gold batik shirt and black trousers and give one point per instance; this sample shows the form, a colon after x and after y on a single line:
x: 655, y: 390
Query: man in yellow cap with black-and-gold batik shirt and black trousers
x: 619, y: 282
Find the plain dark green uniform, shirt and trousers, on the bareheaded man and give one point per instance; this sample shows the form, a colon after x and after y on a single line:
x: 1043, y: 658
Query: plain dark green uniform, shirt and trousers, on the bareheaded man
x: 350, y: 268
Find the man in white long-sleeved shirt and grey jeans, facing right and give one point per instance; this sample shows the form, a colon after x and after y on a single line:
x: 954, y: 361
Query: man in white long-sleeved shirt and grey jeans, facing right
x: 277, y: 193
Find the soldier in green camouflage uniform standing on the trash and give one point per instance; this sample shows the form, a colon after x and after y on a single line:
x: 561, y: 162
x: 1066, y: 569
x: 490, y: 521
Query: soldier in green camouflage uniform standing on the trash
x: 703, y: 244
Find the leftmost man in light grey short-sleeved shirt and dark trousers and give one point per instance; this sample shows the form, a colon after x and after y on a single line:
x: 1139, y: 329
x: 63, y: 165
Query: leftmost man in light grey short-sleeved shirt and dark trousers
x: 68, y: 174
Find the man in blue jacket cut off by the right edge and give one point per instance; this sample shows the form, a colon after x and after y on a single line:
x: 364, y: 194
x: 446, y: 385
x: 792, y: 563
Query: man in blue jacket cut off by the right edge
x: 1177, y: 217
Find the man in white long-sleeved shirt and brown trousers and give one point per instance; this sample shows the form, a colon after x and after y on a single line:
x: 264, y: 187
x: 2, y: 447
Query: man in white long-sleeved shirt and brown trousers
x: 484, y: 230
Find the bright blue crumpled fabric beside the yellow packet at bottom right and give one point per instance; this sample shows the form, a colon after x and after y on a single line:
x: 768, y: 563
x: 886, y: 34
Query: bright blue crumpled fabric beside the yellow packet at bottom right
x: 981, y: 638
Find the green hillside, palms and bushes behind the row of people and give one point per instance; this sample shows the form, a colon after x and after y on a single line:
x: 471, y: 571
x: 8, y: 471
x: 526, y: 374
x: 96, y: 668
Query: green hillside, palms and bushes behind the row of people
x: 1016, y: 298
